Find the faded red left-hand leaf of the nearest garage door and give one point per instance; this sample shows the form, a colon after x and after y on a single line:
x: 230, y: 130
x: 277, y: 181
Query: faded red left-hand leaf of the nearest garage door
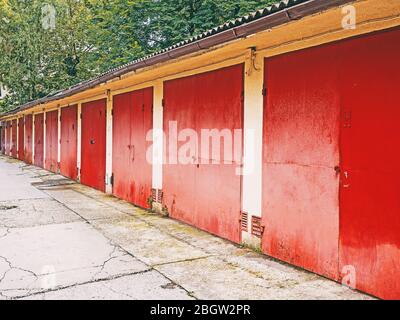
x: 300, y: 185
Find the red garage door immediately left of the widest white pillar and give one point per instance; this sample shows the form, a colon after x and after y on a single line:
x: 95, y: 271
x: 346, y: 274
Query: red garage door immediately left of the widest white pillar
x: 205, y: 195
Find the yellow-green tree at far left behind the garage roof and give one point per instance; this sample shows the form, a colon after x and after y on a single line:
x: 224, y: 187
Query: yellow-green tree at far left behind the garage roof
x: 38, y: 58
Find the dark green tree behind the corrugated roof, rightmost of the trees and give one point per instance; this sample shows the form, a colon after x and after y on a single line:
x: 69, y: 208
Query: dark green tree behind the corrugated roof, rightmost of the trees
x: 160, y: 24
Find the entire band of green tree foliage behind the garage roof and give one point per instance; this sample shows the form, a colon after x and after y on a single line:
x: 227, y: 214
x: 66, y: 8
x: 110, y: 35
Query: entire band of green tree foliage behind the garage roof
x: 92, y: 36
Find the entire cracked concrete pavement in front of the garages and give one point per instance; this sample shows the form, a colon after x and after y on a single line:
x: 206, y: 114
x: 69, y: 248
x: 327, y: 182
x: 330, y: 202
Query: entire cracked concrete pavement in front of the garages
x: 62, y: 240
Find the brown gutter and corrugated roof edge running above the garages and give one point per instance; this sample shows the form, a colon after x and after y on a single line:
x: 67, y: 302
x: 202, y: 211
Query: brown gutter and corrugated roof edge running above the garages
x: 270, y: 17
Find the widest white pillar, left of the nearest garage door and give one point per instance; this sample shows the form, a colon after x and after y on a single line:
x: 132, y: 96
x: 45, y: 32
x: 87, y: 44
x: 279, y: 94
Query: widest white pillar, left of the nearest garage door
x: 253, y: 141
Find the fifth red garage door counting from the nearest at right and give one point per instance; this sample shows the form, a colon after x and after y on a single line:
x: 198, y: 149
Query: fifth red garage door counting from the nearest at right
x: 69, y: 139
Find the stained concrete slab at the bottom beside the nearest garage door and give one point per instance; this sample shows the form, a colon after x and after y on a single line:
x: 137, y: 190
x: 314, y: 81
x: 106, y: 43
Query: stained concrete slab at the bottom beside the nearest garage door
x: 214, y: 278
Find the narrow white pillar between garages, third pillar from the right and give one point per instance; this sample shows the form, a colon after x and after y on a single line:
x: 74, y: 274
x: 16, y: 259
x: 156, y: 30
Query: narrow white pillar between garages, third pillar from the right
x: 109, y: 143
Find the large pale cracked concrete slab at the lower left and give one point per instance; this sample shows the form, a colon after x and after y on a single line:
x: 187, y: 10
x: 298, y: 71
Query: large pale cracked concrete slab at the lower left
x: 52, y: 256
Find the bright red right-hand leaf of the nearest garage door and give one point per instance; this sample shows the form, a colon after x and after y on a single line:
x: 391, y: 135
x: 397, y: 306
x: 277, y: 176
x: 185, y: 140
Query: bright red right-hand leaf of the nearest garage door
x: 370, y: 175
